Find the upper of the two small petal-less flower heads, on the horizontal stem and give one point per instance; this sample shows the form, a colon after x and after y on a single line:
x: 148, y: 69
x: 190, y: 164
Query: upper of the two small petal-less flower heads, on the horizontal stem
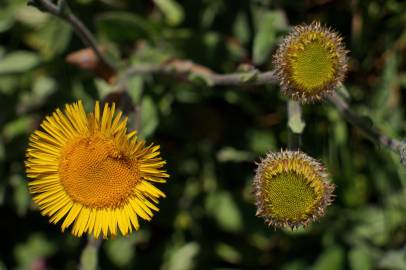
x: 310, y: 63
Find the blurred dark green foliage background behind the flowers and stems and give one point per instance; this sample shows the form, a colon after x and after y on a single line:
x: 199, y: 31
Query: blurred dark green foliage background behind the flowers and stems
x: 212, y: 137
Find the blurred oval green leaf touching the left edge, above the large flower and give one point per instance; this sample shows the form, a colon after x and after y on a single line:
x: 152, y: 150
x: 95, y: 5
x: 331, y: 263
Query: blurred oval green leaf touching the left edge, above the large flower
x: 18, y: 62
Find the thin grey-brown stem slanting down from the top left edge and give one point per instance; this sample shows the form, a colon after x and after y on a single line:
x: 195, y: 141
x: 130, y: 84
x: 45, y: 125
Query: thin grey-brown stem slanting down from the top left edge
x: 63, y: 11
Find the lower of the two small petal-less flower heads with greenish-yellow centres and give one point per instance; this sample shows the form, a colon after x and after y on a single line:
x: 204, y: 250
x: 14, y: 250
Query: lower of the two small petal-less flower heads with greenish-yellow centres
x: 291, y: 189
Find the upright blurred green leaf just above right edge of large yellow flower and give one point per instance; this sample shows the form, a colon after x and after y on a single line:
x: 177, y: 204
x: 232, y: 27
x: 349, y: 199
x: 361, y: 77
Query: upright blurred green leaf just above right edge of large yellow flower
x: 149, y: 117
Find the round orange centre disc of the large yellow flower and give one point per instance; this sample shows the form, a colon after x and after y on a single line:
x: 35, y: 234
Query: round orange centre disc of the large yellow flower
x: 96, y: 174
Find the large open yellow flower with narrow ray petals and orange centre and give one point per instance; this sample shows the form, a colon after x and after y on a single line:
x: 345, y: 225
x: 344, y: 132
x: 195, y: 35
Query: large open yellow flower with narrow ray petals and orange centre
x: 89, y: 172
